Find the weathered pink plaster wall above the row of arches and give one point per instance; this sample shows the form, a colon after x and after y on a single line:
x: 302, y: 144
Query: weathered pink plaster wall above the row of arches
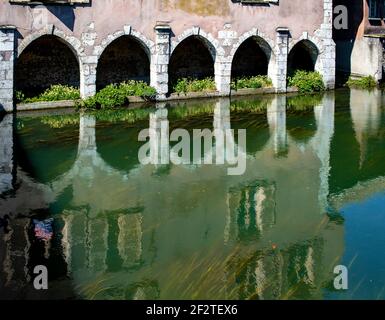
x: 110, y: 16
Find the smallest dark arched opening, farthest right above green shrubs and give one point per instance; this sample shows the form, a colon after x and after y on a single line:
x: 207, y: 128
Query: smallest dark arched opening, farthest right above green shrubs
x: 303, y: 56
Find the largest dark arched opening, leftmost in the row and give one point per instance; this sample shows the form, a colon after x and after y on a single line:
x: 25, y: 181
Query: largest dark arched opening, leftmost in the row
x: 46, y: 61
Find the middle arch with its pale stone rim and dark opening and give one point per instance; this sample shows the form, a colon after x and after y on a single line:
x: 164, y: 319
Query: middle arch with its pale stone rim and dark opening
x: 193, y: 54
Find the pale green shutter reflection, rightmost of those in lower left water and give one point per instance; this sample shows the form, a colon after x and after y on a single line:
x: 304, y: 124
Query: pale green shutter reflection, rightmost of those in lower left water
x: 130, y: 238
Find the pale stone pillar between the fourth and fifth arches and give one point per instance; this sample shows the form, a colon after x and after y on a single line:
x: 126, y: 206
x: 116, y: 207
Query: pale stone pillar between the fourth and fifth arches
x: 280, y: 75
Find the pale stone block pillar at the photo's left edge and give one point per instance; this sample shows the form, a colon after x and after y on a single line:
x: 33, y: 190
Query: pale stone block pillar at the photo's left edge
x: 7, y: 59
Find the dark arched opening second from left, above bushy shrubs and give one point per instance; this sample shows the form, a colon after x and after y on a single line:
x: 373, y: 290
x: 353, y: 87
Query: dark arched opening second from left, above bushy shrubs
x: 124, y: 59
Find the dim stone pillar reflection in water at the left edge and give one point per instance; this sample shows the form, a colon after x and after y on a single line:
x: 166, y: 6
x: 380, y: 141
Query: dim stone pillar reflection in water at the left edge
x: 6, y: 153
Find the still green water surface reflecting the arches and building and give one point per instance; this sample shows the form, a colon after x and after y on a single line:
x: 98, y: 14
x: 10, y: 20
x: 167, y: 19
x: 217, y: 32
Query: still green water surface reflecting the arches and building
x: 107, y: 227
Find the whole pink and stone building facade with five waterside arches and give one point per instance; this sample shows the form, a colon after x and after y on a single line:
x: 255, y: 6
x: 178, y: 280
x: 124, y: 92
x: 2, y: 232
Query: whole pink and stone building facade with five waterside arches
x: 149, y: 49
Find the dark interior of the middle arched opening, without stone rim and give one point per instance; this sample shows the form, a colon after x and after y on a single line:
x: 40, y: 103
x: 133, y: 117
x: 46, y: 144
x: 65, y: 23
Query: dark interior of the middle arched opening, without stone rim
x: 191, y: 59
